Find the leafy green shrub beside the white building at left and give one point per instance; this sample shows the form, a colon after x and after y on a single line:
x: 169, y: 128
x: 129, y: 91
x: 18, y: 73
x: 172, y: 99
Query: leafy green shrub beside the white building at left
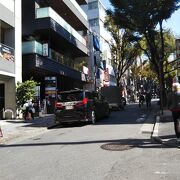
x: 25, y: 91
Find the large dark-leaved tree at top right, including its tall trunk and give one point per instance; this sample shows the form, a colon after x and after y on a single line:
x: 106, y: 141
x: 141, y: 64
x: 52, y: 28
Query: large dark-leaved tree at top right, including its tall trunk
x: 145, y: 19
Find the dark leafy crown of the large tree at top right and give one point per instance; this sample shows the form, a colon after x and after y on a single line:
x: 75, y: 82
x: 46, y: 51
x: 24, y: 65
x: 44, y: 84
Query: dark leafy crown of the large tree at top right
x: 142, y: 15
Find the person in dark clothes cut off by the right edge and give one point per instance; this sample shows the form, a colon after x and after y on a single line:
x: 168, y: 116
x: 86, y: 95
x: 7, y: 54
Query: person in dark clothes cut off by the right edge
x: 173, y: 103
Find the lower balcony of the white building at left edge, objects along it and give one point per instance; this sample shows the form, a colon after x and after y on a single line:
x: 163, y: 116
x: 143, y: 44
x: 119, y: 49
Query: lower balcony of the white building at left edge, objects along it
x: 7, y: 60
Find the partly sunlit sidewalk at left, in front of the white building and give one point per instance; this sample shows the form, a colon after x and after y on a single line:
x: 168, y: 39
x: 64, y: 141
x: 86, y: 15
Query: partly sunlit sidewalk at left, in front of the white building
x: 17, y: 129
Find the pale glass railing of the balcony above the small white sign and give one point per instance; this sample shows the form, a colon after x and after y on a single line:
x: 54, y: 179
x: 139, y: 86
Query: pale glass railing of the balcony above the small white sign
x: 49, y: 12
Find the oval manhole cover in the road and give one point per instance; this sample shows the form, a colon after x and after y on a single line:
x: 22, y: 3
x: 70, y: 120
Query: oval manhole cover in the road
x: 117, y: 147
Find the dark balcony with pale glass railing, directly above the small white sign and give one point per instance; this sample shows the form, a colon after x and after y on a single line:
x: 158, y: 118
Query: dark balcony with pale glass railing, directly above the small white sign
x: 50, y: 24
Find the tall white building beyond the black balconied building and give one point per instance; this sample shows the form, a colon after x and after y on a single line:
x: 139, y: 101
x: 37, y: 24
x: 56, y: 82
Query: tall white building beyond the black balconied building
x: 96, y: 13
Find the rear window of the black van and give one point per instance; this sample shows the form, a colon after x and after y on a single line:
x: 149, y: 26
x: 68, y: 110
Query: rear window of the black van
x: 70, y: 96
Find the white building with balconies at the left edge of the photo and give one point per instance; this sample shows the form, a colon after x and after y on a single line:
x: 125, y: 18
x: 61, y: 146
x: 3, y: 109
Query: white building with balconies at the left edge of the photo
x: 10, y: 52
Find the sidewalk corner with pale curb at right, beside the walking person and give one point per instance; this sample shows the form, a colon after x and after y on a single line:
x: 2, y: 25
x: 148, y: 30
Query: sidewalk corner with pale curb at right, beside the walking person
x: 164, y: 129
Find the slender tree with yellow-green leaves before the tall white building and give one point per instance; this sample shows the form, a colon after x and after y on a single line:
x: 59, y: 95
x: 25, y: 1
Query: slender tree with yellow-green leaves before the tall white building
x: 123, y: 51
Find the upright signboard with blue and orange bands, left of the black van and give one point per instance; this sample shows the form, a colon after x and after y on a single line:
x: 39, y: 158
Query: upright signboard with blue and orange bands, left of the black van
x: 51, y: 87
